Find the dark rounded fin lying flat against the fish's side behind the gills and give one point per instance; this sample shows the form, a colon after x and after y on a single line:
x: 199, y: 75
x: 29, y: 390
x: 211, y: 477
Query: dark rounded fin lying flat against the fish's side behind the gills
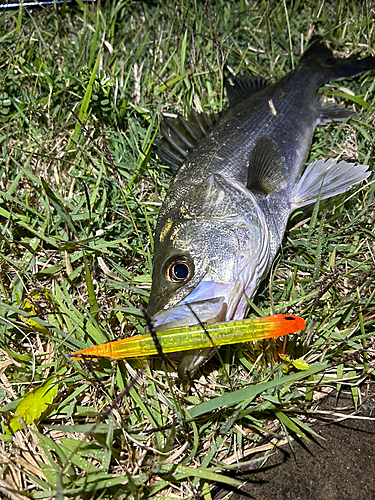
x: 267, y: 170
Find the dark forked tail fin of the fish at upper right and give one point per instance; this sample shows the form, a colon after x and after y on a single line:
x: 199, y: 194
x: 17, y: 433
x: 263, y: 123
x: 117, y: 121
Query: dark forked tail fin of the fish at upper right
x: 332, y: 68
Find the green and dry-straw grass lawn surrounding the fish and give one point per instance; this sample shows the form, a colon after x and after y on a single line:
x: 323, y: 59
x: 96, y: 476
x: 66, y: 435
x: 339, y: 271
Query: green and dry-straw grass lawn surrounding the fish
x: 81, y: 94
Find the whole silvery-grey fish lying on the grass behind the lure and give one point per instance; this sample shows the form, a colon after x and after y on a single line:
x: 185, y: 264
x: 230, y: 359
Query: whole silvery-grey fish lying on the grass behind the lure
x: 238, y: 178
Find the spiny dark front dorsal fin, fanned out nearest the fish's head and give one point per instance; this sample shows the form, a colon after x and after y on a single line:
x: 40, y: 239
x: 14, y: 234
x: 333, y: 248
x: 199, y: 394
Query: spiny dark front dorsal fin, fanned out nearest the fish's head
x: 180, y: 135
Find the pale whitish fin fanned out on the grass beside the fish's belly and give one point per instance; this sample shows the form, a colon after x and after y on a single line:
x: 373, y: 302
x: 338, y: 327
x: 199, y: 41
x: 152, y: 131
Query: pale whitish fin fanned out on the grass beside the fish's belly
x: 326, y: 178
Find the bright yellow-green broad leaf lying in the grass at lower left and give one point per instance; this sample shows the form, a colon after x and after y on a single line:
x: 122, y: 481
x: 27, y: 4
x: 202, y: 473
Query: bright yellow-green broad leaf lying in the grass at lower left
x: 33, y: 404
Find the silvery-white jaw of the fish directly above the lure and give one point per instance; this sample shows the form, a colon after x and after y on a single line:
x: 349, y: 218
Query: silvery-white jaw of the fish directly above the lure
x: 210, y: 302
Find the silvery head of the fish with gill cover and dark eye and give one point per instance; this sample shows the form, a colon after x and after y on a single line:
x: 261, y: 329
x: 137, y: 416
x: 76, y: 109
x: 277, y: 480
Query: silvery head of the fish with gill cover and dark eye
x: 211, y: 251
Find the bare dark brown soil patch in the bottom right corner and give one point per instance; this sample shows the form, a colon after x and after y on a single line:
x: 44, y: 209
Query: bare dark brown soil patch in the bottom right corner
x: 340, y: 467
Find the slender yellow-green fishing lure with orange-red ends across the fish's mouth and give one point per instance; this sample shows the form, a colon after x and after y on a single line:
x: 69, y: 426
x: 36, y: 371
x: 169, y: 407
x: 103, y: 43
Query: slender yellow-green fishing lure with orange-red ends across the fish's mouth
x: 196, y: 337
